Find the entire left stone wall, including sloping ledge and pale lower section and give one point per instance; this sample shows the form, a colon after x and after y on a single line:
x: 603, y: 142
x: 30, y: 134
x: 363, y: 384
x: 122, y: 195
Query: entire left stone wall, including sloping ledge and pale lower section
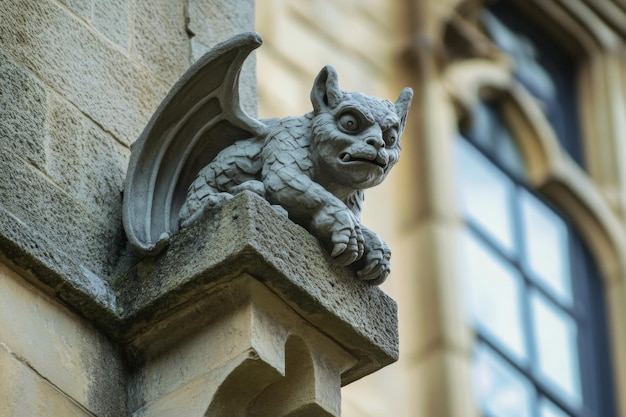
x: 79, y: 80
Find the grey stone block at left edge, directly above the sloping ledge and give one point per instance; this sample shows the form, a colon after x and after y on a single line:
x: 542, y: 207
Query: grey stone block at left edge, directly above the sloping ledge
x: 50, y: 215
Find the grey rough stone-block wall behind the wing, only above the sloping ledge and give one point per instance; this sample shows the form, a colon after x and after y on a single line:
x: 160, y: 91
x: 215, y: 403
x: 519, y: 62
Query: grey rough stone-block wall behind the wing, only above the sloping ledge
x: 79, y: 80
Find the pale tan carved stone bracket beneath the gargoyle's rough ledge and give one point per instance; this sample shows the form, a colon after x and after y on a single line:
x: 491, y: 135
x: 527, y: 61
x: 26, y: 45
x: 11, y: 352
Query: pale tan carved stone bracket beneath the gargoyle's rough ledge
x: 244, y: 353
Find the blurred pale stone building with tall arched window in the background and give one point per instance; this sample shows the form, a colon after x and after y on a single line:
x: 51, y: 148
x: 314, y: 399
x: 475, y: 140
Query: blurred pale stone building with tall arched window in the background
x: 507, y: 212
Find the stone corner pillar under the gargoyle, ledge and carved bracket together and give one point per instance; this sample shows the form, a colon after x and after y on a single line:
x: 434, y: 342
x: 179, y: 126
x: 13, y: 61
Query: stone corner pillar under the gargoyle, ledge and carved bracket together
x: 245, y: 315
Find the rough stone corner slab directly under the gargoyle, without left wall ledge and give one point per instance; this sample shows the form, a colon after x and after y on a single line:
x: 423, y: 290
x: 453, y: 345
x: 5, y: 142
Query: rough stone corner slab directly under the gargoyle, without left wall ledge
x: 247, y: 236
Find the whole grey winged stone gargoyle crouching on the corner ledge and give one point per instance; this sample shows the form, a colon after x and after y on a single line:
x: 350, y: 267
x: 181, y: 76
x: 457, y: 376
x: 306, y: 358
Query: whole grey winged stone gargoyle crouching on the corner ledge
x: 200, y: 148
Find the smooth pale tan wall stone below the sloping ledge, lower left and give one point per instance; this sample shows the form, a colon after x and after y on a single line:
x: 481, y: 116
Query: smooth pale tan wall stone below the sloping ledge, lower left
x: 60, y: 349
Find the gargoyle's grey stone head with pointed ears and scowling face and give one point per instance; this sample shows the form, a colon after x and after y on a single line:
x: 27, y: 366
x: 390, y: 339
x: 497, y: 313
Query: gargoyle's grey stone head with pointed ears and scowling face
x: 356, y: 138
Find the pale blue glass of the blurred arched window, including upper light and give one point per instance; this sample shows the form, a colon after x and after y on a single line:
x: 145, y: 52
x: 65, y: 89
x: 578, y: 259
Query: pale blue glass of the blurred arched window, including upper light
x: 534, y: 292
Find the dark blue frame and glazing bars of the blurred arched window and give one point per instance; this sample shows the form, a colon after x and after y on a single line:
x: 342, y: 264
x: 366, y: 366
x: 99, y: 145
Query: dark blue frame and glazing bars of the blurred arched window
x: 592, y: 332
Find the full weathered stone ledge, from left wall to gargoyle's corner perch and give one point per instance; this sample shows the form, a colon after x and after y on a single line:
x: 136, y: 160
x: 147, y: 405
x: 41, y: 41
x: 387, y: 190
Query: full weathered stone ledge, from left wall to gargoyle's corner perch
x: 246, y: 236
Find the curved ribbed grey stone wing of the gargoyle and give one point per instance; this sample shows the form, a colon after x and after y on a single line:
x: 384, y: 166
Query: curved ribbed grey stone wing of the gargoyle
x: 200, y: 116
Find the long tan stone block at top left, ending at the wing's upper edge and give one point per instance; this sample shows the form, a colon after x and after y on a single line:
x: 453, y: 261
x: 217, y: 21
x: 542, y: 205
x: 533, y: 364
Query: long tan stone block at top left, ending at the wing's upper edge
x: 78, y: 63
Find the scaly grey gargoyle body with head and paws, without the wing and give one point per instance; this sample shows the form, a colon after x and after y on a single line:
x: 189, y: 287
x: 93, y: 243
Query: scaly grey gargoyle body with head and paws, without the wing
x: 314, y: 168
